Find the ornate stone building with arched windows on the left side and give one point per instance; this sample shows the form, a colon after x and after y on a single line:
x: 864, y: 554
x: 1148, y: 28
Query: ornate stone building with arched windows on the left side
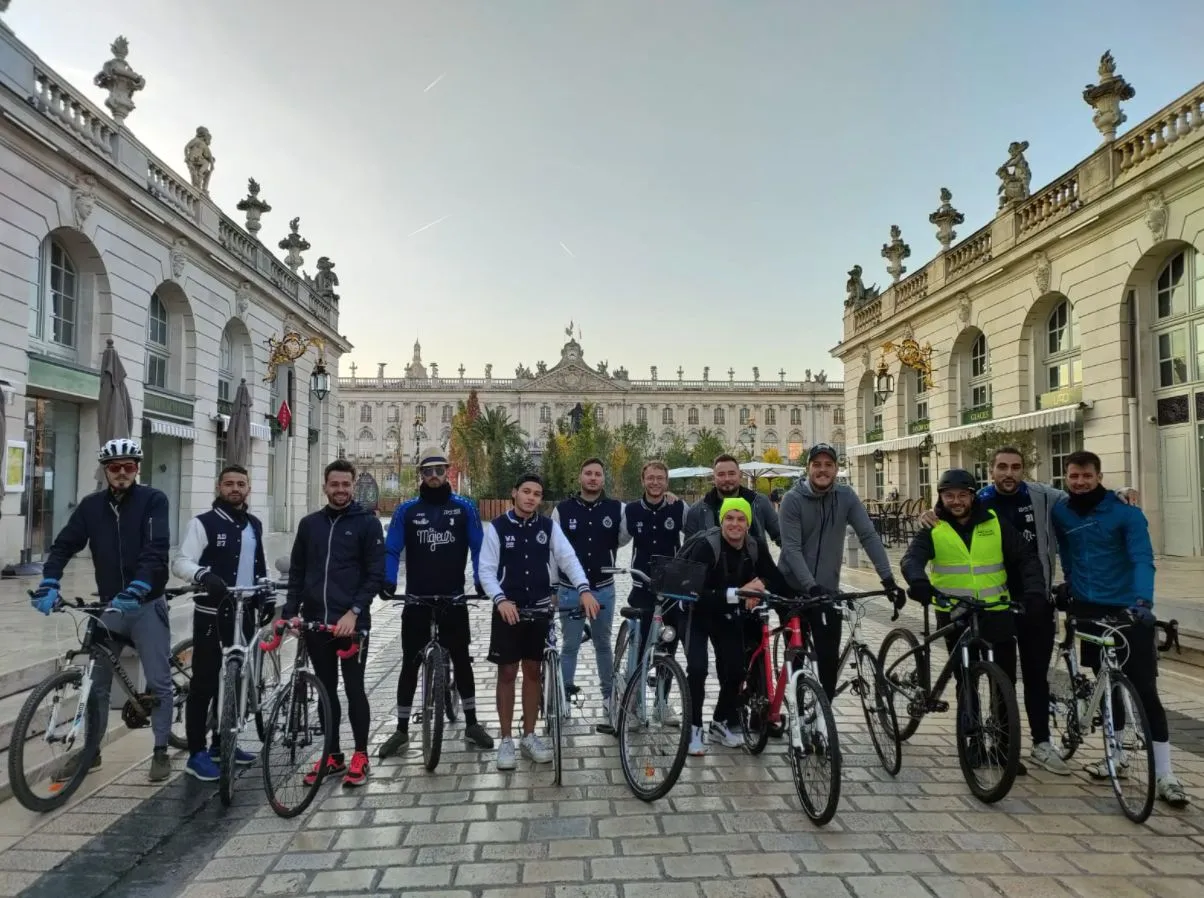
x: 107, y: 244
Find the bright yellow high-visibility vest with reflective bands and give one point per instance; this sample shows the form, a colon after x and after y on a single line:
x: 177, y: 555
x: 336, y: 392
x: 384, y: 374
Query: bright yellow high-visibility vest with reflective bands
x: 971, y: 572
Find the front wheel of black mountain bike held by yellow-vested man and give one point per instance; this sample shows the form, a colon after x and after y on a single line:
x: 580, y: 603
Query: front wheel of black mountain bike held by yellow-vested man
x: 988, y: 741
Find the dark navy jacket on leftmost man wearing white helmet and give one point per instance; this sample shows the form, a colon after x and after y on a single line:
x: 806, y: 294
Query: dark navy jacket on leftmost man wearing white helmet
x: 129, y: 541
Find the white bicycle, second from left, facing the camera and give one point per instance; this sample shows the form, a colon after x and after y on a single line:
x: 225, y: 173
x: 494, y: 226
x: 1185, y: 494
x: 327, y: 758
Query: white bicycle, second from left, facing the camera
x: 237, y: 701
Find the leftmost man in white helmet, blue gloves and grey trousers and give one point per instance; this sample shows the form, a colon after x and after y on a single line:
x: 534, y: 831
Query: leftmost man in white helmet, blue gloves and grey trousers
x: 126, y: 527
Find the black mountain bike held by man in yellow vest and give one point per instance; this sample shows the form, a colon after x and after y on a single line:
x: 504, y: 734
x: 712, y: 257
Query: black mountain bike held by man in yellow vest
x: 971, y: 660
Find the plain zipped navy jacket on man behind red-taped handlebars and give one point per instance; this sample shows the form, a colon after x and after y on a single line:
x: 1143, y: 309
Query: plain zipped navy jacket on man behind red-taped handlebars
x: 338, y: 565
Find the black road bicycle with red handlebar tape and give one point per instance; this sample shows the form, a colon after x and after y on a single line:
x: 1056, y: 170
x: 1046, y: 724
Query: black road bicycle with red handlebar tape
x: 299, y: 729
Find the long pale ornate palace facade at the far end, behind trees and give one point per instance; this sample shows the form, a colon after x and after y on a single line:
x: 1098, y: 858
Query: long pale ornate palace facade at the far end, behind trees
x: 383, y: 422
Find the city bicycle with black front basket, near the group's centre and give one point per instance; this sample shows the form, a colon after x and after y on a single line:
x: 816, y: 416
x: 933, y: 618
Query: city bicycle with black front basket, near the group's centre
x: 642, y: 664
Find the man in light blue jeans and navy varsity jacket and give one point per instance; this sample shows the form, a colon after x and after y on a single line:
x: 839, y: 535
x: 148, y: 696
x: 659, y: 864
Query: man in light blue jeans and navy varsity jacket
x: 593, y: 524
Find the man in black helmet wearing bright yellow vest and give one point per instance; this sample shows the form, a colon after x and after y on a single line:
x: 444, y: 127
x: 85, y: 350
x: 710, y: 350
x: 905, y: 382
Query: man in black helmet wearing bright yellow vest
x: 973, y: 553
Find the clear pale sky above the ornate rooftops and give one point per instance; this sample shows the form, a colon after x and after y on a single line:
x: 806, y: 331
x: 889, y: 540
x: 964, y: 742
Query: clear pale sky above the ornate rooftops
x: 712, y: 169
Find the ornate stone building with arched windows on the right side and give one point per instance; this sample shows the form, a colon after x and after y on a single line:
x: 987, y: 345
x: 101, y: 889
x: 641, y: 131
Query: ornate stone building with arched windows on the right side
x: 1076, y: 315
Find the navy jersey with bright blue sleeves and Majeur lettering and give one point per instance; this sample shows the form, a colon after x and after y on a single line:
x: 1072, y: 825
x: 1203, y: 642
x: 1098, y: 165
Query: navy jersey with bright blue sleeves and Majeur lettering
x: 435, y: 534
